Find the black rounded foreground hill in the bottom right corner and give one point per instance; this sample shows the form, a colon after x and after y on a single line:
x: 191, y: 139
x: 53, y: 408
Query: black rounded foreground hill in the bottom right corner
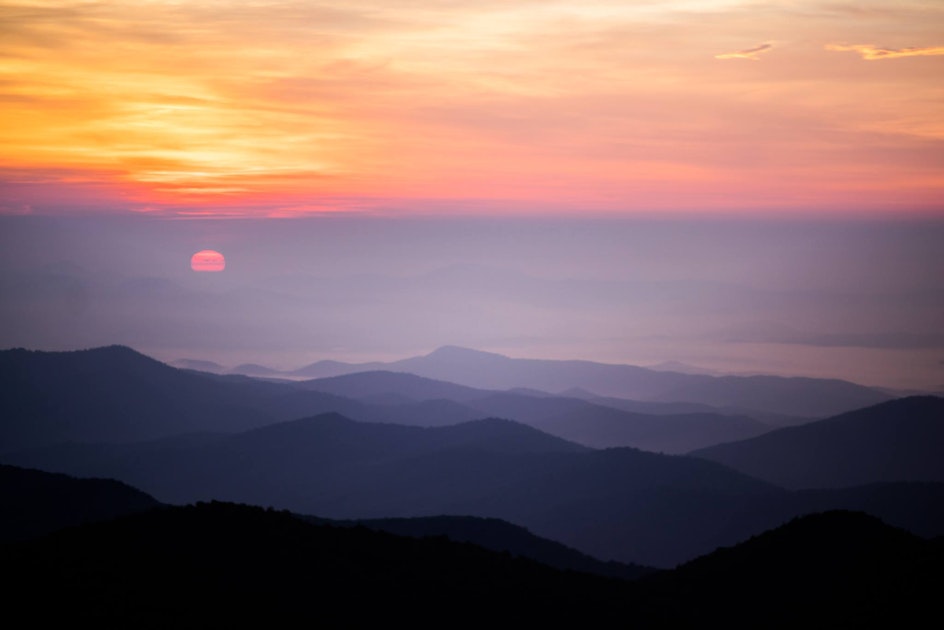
x: 827, y: 570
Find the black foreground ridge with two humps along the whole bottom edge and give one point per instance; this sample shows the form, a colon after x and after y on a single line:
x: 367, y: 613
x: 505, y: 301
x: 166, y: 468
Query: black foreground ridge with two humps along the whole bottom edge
x: 229, y: 565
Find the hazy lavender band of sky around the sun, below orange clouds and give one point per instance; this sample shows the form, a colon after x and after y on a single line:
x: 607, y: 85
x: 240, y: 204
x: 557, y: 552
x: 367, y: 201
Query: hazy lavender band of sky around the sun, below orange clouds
x: 859, y: 300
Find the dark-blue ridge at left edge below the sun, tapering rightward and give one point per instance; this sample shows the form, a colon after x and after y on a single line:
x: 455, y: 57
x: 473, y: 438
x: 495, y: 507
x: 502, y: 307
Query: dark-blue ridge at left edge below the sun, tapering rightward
x: 115, y: 394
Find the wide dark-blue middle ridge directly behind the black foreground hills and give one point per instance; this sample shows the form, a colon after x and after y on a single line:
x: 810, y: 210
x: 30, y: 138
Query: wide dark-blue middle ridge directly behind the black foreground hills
x: 621, y: 504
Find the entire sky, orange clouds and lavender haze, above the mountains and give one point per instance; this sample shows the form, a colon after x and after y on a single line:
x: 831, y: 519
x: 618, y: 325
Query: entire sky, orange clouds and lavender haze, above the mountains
x: 744, y: 186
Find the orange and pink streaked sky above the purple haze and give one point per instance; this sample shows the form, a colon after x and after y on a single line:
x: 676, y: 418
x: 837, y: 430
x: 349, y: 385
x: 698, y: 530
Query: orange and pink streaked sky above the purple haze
x: 285, y: 108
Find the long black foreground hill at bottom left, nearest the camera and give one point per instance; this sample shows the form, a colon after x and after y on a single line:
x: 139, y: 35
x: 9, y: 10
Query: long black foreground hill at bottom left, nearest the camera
x: 226, y: 565
